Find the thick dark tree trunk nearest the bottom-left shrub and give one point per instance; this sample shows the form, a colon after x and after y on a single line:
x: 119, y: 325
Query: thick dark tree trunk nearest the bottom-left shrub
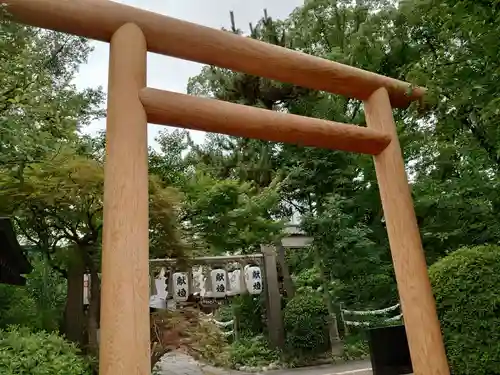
x: 74, y: 317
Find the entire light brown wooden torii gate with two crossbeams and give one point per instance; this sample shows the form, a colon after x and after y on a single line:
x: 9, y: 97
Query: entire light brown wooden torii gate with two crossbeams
x: 132, y: 32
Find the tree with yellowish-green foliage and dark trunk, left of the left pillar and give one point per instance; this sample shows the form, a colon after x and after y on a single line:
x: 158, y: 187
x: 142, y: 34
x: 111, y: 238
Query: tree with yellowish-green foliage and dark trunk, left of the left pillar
x: 62, y: 196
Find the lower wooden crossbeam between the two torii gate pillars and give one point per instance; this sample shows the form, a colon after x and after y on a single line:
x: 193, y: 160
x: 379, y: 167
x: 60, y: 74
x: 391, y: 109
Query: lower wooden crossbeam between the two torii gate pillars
x: 174, y: 109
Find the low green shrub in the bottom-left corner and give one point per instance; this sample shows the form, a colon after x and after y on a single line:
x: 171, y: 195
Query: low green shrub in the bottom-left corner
x: 41, y: 353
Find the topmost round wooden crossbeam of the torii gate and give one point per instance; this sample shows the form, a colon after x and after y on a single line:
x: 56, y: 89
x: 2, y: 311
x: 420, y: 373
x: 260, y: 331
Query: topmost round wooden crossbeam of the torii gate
x: 99, y: 19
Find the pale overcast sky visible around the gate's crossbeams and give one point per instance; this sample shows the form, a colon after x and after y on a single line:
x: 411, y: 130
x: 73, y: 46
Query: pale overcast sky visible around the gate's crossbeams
x: 173, y: 74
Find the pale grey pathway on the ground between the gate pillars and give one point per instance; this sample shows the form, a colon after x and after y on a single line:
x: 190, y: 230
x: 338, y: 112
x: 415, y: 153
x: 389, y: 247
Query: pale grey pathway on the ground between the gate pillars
x: 178, y: 363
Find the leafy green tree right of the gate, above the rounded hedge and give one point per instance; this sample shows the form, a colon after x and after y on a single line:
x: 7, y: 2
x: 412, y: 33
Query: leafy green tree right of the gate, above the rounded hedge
x: 457, y: 167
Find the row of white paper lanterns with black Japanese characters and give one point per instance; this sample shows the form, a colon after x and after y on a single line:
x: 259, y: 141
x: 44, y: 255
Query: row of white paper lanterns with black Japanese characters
x: 218, y: 283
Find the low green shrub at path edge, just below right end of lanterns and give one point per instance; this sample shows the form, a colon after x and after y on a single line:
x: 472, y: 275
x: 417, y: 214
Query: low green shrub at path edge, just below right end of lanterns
x: 253, y: 352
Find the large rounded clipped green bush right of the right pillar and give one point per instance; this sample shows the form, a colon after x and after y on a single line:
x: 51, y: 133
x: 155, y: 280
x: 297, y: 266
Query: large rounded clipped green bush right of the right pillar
x: 465, y: 285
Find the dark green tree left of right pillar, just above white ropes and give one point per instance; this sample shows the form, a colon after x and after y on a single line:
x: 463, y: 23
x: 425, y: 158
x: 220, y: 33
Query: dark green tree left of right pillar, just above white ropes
x: 352, y: 261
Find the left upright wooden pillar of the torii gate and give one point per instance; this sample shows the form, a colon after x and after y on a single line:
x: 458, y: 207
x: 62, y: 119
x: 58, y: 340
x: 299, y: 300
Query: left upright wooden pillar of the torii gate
x: 124, y: 348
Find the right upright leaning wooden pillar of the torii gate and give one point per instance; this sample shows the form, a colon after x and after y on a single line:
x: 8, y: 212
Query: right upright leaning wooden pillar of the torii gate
x: 417, y: 301
